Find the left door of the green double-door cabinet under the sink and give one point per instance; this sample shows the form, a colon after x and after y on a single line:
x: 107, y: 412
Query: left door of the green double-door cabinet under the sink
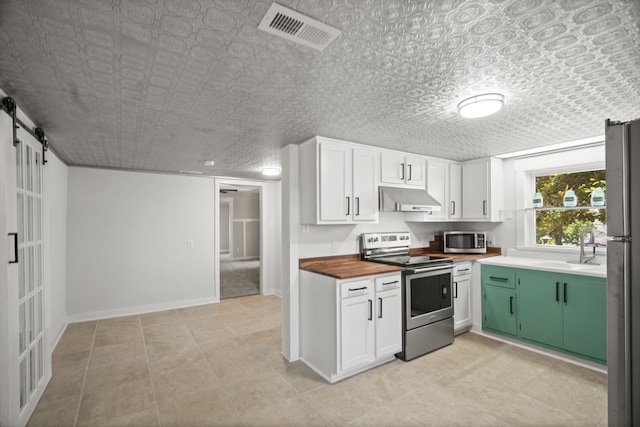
x: 540, y: 307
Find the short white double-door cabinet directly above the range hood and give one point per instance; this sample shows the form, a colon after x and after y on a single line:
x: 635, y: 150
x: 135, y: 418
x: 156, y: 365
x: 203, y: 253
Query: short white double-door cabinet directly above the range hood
x: 399, y: 169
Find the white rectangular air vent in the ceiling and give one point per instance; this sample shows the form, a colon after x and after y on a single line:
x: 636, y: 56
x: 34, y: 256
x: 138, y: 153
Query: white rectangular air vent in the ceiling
x: 297, y: 28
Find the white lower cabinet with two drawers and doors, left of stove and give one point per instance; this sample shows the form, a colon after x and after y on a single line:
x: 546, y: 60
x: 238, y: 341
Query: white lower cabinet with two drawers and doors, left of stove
x: 348, y: 326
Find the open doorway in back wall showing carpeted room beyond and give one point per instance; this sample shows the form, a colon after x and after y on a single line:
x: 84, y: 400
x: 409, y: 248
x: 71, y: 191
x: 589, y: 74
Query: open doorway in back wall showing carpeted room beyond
x: 239, y: 237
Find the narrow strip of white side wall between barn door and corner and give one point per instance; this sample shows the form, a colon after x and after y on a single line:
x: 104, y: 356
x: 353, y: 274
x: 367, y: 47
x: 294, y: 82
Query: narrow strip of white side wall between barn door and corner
x: 55, y: 223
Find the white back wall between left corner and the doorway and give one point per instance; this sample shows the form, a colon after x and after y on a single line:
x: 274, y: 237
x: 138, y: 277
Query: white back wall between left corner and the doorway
x: 127, y: 242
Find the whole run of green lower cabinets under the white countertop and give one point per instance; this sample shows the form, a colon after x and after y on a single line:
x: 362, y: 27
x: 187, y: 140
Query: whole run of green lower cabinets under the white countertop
x: 565, y: 312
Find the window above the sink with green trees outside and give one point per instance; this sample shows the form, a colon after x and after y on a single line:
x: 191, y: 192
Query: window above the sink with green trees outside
x: 558, y: 223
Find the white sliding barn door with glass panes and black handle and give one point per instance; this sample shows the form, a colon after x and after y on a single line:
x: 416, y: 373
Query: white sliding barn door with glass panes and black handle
x: 26, y: 362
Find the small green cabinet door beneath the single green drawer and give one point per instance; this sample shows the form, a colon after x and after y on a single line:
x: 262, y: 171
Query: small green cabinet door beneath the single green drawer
x: 498, y: 309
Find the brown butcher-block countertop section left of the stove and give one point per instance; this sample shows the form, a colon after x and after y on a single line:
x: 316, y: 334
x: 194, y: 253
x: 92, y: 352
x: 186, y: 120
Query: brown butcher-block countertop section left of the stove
x: 345, y: 266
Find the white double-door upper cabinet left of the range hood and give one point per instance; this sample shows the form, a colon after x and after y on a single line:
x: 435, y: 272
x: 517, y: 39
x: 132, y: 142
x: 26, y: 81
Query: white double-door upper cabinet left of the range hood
x: 338, y: 182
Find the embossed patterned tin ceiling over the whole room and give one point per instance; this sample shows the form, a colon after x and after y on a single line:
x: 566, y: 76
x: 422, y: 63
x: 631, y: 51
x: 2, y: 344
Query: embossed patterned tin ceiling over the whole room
x: 164, y: 85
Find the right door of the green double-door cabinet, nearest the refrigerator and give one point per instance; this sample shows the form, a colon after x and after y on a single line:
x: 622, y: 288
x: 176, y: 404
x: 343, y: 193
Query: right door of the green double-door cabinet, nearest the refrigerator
x: 585, y: 315
